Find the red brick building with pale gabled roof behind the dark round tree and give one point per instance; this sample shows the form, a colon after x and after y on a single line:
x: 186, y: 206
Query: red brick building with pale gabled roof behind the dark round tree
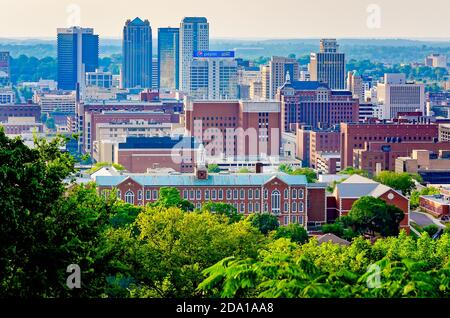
x: 355, y: 187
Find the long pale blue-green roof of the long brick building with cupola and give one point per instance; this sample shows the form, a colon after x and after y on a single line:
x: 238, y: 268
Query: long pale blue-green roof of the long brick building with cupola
x: 191, y: 180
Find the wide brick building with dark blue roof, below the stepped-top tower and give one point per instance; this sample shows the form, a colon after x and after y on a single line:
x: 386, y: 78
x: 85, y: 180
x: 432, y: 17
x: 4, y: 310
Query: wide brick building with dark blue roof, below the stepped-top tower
x: 315, y: 104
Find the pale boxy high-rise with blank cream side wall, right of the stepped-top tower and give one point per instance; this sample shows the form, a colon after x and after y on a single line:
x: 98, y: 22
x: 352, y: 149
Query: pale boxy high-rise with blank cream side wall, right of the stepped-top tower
x: 396, y: 95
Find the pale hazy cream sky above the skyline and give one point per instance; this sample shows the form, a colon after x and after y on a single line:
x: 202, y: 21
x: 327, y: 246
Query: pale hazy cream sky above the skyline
x: 236, y: 18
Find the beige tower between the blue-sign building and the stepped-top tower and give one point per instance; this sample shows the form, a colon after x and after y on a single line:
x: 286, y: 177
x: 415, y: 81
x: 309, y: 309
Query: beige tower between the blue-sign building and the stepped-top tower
x: 278, y: 68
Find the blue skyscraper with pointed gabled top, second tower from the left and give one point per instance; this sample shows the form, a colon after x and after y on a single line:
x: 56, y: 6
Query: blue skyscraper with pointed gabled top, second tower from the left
x: 137, y: 54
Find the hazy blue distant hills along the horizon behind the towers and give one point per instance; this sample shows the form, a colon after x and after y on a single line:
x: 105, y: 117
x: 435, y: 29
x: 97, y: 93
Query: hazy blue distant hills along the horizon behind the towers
x: 380, y: 50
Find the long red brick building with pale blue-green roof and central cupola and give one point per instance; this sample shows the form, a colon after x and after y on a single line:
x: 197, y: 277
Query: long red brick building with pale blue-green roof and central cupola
x: 290, y: 198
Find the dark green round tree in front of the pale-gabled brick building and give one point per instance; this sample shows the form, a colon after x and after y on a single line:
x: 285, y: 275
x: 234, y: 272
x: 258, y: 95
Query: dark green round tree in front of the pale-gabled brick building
x: 373, y: 215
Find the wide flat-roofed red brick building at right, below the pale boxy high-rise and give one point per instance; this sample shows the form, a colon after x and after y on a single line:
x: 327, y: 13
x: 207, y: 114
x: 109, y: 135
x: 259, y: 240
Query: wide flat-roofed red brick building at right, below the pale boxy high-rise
x: 357, y: 135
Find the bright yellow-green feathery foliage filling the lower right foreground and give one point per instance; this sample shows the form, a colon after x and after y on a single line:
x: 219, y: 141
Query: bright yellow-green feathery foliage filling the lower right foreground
x: 407, y: 268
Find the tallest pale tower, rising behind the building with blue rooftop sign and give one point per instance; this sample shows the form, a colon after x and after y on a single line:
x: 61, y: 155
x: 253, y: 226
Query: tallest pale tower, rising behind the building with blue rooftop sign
x: 194, y: 36
